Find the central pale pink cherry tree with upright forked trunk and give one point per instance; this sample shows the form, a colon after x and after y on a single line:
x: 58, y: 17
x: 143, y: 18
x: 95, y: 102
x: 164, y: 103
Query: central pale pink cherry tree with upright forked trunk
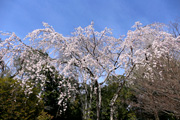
x: 86, y: 56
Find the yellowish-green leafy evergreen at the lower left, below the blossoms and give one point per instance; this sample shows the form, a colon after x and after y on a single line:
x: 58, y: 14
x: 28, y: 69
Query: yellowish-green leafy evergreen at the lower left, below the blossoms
x: 15, y: 104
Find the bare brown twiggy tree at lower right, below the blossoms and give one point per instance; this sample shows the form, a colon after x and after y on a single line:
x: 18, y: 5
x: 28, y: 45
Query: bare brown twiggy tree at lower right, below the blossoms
x: 160, y: 93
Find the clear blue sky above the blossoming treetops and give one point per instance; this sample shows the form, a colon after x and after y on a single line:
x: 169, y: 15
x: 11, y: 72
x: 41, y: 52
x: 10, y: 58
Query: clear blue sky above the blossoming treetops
x: 23, y: 16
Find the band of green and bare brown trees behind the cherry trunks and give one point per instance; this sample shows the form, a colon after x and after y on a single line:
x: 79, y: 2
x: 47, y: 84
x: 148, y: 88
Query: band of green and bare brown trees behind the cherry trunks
x: 136, y: 101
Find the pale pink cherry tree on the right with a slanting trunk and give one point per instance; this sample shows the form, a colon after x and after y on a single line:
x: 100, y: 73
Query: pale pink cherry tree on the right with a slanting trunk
x: 146, y: 43
